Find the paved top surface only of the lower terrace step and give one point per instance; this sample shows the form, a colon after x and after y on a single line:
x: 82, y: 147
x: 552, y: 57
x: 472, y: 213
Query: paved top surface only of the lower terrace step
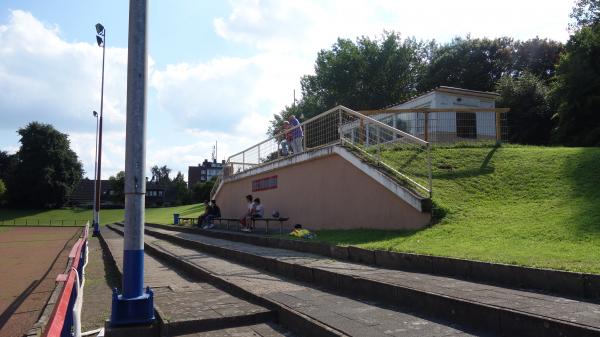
x: 349, y: 316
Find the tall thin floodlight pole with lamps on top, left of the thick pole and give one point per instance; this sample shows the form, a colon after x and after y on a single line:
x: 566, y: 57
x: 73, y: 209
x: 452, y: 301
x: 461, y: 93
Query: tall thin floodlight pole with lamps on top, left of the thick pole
x: 101, y: 39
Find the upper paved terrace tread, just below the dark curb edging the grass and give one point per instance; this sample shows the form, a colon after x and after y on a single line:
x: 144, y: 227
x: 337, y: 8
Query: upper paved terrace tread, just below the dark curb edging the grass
x: 557, y: 308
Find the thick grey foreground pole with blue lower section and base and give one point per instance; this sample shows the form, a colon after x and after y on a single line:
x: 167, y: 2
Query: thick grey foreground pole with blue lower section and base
x: 135, y: 305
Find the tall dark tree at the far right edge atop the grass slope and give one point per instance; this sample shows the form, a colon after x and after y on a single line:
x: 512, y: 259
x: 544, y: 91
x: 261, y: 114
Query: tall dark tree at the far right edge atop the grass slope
x: 576, y: 92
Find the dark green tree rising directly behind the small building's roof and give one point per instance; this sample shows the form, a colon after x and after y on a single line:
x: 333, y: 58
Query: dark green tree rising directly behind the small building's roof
x: 475, y: 64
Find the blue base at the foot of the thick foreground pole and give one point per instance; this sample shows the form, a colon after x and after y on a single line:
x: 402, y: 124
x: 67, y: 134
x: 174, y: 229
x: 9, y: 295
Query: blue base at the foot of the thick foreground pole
x: 132, y: 311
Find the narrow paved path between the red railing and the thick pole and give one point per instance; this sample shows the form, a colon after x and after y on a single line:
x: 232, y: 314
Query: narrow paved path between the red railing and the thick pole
x: 101, y: 275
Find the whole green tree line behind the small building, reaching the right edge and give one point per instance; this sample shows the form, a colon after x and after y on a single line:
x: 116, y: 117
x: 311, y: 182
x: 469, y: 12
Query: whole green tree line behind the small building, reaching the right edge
x: 553, y: 89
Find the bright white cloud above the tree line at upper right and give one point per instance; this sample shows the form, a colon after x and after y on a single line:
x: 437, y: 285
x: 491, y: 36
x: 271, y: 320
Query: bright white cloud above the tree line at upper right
x: 307, y: 26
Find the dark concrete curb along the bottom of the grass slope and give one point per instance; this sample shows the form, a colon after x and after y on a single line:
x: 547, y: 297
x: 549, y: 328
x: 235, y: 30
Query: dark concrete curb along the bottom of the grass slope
x: 578, y: 286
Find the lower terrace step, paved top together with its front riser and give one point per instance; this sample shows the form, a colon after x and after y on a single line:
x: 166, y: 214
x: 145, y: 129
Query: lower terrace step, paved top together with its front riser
x: 304, y: 308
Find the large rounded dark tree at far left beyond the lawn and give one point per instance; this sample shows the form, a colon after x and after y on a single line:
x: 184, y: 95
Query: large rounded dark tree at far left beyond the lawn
x: 46, y: 171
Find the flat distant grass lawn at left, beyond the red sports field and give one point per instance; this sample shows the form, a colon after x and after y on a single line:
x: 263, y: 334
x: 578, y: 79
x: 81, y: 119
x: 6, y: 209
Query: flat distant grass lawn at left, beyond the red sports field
x: 156, y: 215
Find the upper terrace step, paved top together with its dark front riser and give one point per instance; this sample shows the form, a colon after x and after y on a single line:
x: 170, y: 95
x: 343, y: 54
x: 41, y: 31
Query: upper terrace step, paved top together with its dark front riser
x: 478, y: 306
